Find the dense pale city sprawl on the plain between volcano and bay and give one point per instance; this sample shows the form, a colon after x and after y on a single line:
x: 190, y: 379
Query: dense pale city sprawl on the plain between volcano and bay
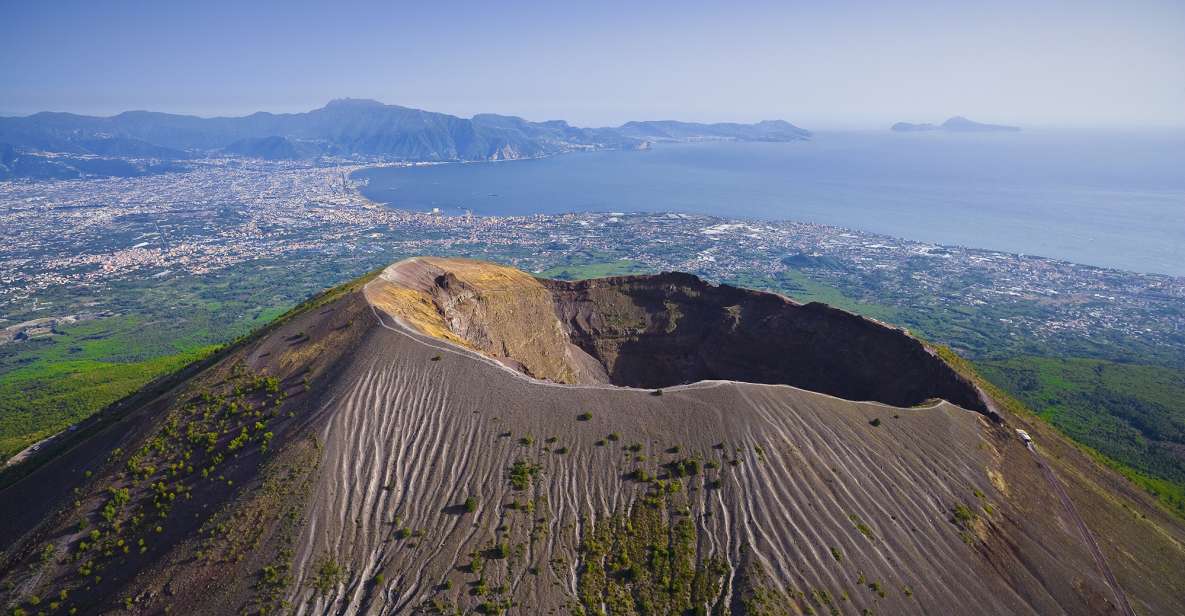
x: 227, y: 213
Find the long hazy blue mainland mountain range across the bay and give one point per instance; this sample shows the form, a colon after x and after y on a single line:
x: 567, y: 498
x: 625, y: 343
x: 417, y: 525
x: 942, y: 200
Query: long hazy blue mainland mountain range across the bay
x: 353, y: 129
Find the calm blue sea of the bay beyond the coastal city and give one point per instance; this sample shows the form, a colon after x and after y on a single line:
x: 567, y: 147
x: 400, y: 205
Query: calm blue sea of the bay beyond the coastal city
x: 1110, y: 200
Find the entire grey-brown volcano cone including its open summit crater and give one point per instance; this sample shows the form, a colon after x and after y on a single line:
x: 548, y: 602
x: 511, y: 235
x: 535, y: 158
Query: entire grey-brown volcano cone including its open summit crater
x: 452, y: 437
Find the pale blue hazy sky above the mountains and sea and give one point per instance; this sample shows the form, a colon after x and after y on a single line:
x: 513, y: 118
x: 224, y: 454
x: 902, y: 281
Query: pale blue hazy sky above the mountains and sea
x: 818, y: 65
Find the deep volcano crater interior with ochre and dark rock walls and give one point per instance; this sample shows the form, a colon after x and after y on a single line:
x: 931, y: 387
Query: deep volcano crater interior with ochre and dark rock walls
x: 670, y: 330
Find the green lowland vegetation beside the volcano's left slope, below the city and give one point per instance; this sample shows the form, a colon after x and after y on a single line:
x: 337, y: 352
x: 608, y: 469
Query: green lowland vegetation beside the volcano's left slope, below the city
x: 159, y: 325
